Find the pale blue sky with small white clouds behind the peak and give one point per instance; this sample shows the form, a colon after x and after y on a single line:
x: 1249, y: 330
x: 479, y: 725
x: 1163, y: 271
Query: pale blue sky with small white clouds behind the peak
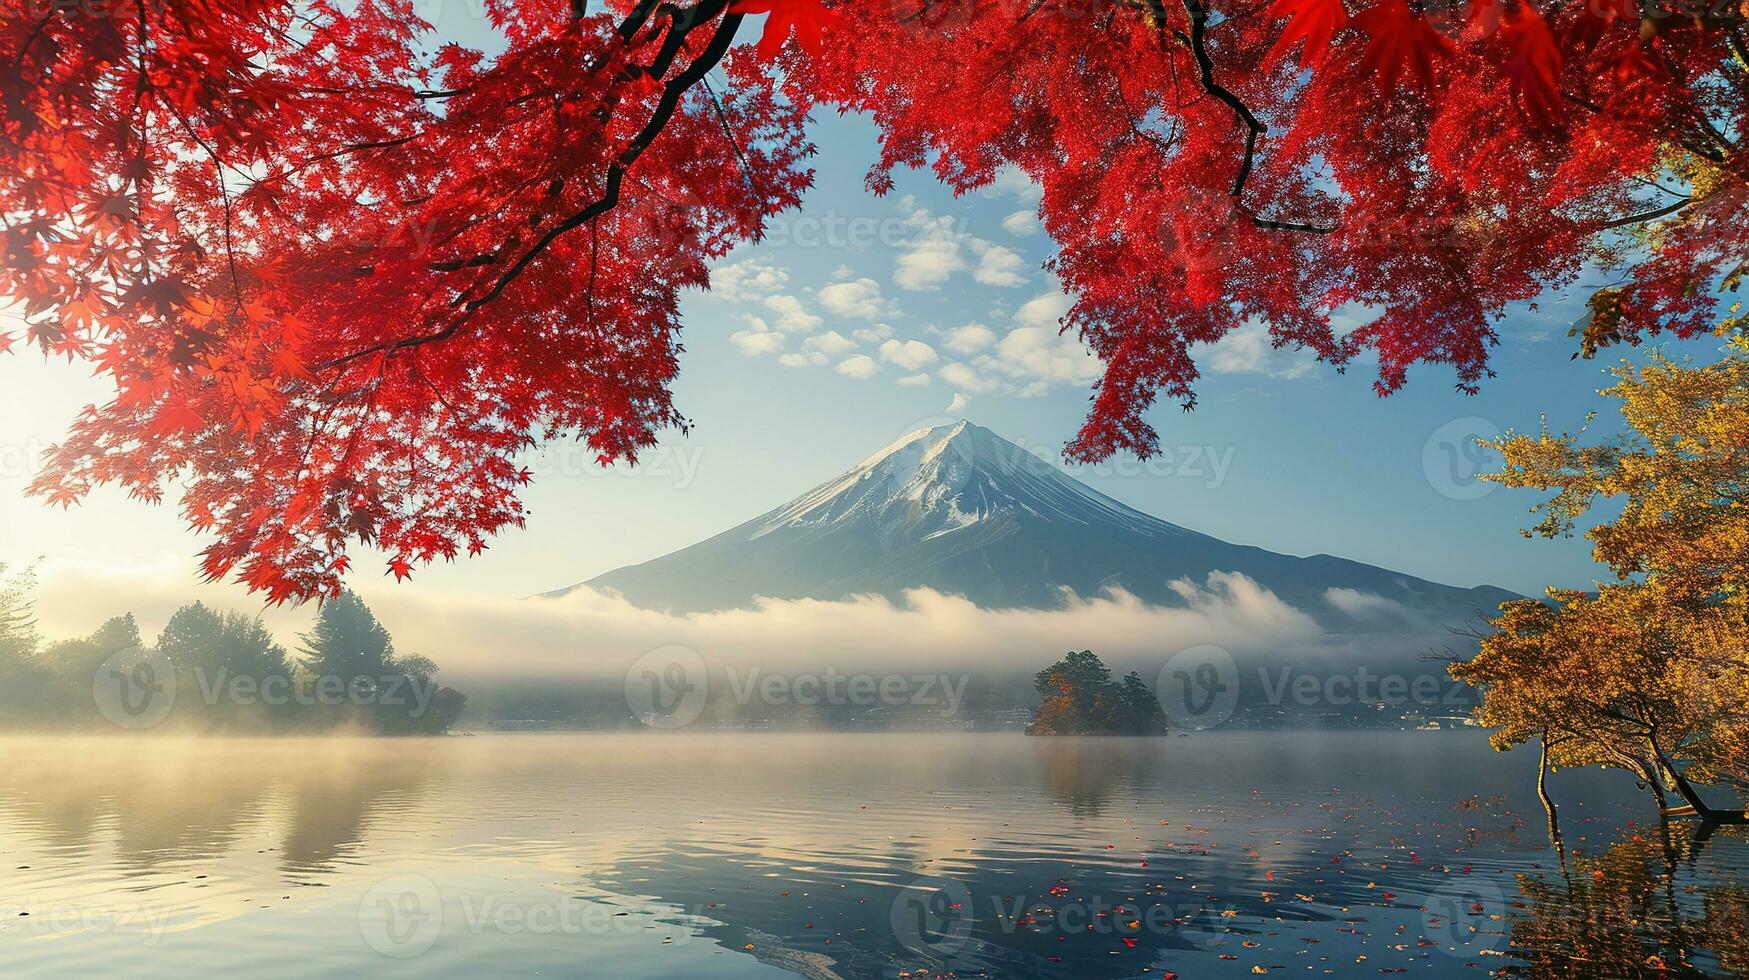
x: 865, y: 318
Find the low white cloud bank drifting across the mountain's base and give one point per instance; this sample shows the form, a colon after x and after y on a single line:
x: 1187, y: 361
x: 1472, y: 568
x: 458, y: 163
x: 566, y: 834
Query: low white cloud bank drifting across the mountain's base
x: 592, y: 634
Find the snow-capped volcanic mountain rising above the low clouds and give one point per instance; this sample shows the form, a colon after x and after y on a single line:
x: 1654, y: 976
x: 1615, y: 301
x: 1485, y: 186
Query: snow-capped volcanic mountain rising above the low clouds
x: 959, y: 510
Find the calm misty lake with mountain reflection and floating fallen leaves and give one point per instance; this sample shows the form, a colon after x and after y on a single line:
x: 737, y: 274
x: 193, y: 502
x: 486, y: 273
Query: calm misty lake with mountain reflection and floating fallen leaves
x: 783, y: 855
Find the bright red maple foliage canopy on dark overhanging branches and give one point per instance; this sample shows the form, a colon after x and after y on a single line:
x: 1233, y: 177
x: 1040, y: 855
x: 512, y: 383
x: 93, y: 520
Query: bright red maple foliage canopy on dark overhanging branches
x: 342, y: 276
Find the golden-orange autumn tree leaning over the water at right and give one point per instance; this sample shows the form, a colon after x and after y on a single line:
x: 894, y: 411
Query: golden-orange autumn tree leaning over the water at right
x: 1652, y: 671
